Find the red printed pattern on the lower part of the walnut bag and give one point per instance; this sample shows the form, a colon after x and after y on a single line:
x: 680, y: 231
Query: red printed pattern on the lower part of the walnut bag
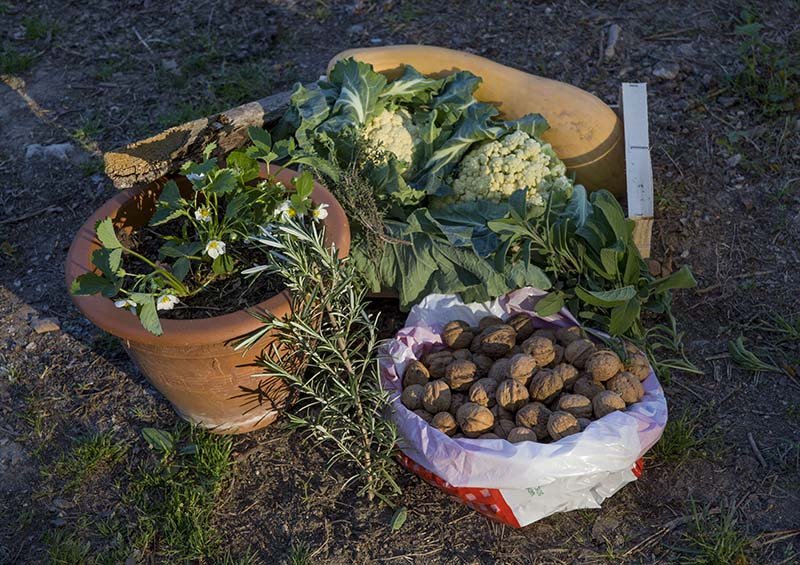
x: 488, y: 502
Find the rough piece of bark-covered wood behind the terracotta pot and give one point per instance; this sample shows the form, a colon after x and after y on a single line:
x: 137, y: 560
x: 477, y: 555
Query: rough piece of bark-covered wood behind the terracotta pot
x: 141, y: 163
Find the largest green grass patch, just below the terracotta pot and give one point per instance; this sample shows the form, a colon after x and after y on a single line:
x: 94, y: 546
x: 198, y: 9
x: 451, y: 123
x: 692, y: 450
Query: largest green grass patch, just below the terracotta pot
x: 175, y: 497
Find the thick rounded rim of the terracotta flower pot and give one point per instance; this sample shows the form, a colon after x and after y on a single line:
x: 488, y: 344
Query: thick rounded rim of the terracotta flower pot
x: 206, y: 331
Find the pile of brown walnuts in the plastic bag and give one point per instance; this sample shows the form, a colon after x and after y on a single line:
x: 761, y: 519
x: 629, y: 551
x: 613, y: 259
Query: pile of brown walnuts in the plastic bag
x: 505, y: 380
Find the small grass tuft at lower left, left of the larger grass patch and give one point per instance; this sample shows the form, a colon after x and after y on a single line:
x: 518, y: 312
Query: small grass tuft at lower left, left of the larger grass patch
x: 90, y: 456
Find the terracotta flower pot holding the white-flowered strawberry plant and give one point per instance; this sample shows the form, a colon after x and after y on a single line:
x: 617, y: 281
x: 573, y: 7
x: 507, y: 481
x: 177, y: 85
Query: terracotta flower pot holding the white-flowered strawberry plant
x: 193, y: 364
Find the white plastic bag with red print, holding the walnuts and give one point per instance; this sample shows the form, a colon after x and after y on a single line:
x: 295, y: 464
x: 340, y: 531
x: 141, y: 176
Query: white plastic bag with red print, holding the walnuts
x: 517, y: 484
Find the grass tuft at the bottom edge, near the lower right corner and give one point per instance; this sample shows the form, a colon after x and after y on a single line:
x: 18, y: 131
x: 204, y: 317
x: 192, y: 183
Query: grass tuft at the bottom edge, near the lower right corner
x: 714, y: 539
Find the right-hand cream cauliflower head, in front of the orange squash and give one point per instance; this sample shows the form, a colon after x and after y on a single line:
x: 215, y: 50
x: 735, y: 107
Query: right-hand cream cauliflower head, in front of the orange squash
x: 497, y: 169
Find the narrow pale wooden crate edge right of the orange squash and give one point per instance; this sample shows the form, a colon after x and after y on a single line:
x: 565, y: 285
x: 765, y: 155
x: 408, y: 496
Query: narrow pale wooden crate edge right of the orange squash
x: 638, y: 168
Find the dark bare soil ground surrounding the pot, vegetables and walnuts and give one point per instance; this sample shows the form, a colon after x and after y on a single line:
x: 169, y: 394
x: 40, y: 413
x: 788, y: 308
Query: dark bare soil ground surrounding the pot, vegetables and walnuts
x: 78, y: 483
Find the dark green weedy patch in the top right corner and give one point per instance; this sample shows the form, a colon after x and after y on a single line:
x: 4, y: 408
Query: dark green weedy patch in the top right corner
x: 770, y: 74
